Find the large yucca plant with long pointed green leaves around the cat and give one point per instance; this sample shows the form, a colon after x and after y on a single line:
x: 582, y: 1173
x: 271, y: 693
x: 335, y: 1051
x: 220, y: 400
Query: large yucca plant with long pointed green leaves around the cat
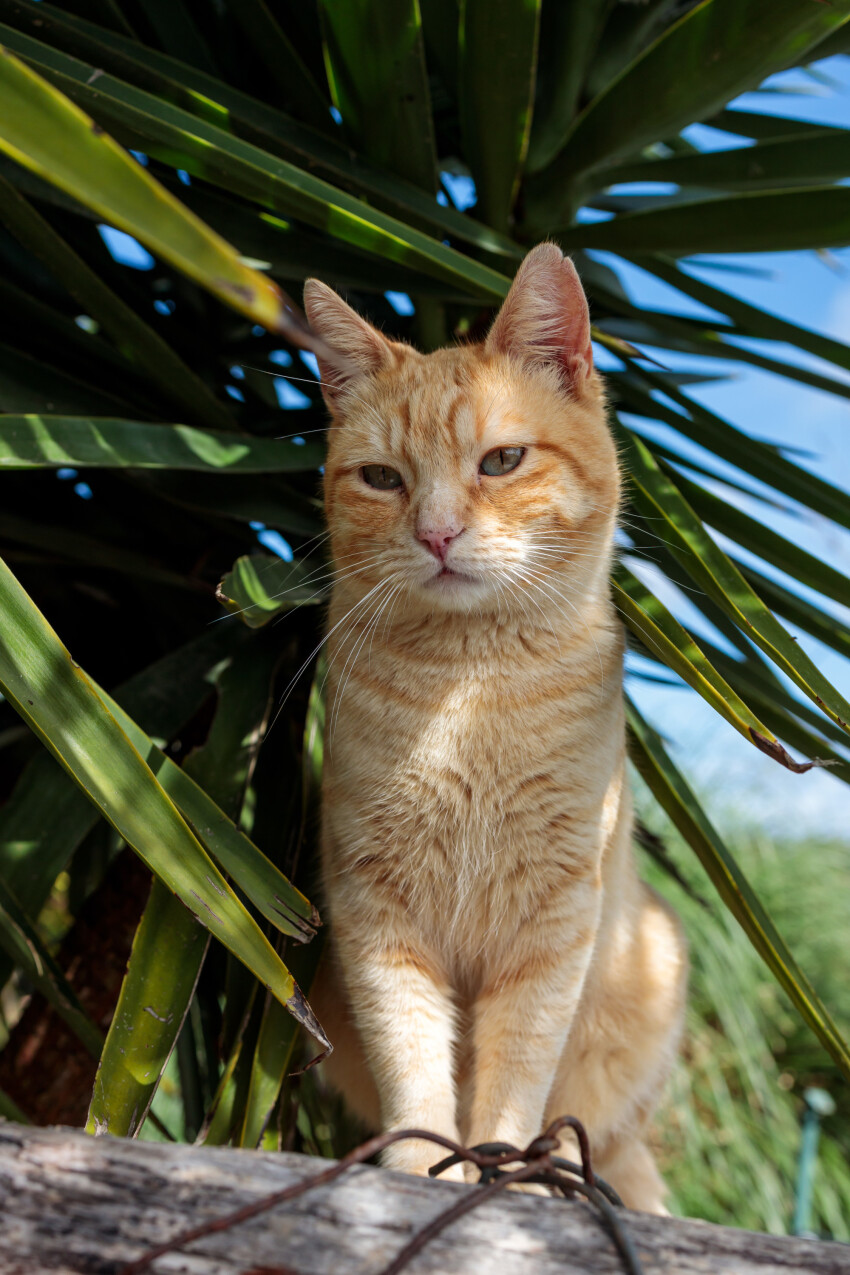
x: 165, y: 169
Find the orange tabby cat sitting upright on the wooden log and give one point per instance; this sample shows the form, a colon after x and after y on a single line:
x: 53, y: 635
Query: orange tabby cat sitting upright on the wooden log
x: 496, y: 961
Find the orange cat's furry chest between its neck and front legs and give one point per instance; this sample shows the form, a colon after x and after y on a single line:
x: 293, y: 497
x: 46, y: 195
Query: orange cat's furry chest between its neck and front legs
x: 459, y: 798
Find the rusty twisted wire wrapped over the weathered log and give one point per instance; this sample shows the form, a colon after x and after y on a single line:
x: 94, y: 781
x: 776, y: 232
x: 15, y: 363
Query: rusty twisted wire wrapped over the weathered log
x: 538, y: 1165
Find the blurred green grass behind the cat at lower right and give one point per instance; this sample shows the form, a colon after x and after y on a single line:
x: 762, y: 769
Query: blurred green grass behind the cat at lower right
x: 730, y: 1133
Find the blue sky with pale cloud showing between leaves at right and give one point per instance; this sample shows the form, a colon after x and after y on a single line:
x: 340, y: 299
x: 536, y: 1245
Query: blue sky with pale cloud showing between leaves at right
x: 812, y: 290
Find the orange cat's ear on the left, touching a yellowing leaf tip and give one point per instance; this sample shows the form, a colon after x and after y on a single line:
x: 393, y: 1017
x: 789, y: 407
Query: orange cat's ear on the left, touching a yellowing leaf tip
x: 361, y: 347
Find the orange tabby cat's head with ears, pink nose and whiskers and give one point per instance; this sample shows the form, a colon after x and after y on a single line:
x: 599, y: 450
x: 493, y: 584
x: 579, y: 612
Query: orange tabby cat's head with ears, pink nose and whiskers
x: 480, y: 476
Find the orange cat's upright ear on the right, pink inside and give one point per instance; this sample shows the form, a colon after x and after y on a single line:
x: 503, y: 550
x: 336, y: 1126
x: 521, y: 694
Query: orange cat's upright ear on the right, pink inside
x: 545, y: 318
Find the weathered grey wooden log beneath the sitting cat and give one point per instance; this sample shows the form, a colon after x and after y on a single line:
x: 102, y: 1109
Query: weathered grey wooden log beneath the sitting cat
x: 76, y: 1204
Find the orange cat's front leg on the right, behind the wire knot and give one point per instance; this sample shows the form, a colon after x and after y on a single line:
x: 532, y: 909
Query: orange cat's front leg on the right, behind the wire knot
x: 522, y: 1023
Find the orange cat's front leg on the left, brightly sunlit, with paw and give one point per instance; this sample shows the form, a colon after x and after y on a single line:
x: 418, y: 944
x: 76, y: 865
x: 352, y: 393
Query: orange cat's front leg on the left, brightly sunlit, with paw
x: 405, y: 1010
